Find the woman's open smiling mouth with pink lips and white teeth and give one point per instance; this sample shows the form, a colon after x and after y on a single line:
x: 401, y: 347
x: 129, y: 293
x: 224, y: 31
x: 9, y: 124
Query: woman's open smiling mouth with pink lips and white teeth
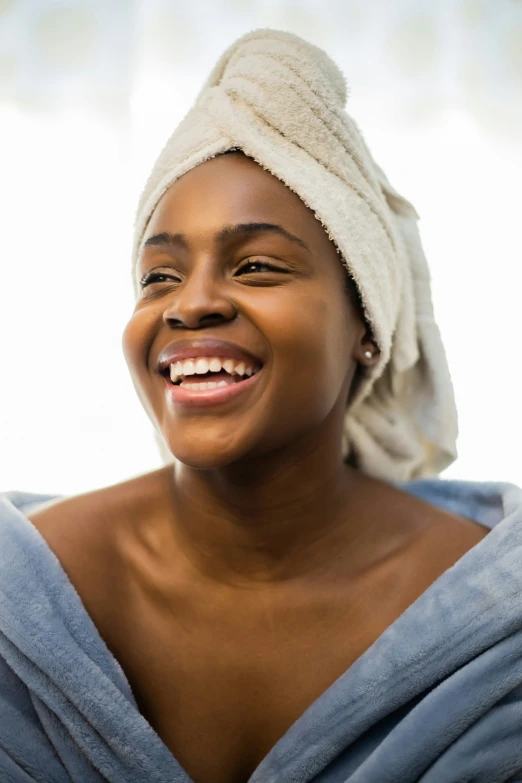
x: 207, y: 381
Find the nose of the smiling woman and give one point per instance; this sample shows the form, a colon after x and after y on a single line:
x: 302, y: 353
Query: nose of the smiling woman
x: 199, y: 301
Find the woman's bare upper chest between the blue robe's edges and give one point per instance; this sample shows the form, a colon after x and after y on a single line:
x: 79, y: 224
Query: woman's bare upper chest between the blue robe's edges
x: 221, y: 681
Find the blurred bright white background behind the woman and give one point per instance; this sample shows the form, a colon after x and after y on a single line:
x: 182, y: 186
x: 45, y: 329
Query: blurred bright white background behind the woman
x: 89, y: 92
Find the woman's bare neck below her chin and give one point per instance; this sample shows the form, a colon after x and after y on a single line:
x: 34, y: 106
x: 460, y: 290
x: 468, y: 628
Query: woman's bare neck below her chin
x: 268, y: 520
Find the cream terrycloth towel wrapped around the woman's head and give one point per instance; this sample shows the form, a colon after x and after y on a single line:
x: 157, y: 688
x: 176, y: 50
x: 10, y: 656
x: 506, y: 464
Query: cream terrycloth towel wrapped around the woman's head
x: 281, y: 100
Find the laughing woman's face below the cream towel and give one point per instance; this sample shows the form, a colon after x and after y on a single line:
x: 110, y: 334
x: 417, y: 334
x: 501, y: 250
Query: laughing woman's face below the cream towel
x: 210, y: 272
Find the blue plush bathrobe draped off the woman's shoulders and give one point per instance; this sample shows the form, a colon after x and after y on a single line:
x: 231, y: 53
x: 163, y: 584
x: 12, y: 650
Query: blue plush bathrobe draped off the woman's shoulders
x: 436, y: 699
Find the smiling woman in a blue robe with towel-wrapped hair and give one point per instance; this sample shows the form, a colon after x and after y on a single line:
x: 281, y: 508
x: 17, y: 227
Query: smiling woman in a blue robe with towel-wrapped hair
x: 295, y: 596
